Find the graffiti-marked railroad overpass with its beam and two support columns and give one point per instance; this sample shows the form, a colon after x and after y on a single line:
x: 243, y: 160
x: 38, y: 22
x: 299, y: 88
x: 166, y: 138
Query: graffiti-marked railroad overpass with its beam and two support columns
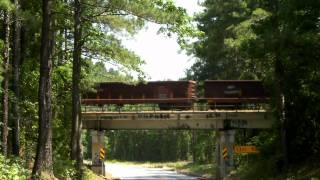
x: 224, y: 122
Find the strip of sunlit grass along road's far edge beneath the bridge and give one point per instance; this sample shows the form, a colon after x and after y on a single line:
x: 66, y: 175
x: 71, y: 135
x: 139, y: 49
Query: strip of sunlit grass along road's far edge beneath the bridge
x: 186, y: 167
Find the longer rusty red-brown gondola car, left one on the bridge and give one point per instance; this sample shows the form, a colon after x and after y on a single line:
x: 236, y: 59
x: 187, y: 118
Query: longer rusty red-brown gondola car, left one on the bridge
x: 164, y: 93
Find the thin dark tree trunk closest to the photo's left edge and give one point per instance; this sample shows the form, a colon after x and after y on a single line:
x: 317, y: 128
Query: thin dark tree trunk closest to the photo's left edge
x: 5, y: 83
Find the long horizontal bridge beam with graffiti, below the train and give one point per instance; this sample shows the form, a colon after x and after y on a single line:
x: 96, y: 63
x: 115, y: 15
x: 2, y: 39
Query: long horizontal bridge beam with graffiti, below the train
x: 177, y: 120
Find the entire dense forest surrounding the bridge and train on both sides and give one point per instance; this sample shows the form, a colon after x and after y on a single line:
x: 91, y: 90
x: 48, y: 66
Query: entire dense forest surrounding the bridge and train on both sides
x: 52, y: 52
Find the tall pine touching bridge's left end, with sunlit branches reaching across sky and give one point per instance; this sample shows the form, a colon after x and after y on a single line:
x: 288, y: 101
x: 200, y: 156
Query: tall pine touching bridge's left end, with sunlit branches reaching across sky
x: 99, y: 41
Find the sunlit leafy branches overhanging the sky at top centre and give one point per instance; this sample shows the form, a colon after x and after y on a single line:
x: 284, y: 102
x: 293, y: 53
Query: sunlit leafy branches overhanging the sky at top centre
x: 174, y: 19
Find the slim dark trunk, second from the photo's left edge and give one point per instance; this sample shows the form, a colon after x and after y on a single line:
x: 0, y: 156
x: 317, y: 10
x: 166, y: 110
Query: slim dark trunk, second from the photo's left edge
x: 15, y: 86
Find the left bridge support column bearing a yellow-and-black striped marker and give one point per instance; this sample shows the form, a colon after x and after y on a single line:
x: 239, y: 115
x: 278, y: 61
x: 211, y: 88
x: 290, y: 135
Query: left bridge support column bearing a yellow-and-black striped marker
x: 98, y: 165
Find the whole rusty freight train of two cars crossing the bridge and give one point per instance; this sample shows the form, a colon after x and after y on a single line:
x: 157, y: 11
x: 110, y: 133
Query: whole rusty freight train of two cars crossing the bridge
x: 181, y: 94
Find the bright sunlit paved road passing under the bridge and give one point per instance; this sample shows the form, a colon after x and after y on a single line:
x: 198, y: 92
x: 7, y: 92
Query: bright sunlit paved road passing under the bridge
x: 137, y: 172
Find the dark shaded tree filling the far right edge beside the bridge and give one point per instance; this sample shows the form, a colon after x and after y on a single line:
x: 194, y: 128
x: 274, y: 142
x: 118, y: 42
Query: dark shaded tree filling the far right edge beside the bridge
x: 285, y: 31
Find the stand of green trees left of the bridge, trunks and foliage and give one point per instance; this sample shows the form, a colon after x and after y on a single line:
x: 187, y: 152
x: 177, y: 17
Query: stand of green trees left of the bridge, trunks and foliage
x: 52, y: 51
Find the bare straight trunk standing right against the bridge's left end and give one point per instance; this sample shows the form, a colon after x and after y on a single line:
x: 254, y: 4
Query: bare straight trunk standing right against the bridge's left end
x: 76, y: 147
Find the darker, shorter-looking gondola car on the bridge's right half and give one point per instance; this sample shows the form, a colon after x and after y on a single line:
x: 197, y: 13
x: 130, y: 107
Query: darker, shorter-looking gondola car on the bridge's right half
x: 224, y: 93
